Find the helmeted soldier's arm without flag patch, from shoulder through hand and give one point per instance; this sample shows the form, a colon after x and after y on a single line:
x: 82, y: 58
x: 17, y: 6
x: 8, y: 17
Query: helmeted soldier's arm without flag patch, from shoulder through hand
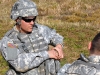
x: 53, y: 38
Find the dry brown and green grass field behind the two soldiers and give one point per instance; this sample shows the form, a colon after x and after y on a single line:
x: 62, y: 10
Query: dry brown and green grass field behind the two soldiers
x: 76, y: 20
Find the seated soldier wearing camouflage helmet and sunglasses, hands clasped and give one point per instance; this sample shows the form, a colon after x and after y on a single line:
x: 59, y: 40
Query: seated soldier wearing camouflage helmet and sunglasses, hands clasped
x: 26, y: 46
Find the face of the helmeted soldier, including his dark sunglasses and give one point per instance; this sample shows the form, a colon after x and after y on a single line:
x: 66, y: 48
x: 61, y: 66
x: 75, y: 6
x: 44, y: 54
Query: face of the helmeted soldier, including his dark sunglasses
x: 27, y: 24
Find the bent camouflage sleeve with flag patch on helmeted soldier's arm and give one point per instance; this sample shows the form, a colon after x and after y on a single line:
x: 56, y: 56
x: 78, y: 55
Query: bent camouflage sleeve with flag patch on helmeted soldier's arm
x: 21, y: 61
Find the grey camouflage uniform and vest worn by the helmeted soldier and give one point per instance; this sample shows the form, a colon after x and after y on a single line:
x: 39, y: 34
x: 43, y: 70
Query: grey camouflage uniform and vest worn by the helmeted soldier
x: 27, y: 53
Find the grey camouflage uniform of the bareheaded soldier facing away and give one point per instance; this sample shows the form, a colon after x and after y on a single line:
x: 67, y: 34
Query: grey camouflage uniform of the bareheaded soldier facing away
x: 82, y: 66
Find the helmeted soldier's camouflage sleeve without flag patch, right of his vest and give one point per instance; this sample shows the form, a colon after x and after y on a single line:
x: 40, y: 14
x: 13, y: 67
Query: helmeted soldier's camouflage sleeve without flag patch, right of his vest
x: 50, y: 35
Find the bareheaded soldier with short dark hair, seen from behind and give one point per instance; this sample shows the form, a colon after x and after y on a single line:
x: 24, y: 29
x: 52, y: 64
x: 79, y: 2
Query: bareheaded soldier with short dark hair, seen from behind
x: 85, y: 66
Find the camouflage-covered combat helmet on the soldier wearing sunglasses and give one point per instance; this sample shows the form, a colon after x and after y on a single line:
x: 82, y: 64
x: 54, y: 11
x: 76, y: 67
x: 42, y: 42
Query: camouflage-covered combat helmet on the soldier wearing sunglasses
x: 23, y: 8
